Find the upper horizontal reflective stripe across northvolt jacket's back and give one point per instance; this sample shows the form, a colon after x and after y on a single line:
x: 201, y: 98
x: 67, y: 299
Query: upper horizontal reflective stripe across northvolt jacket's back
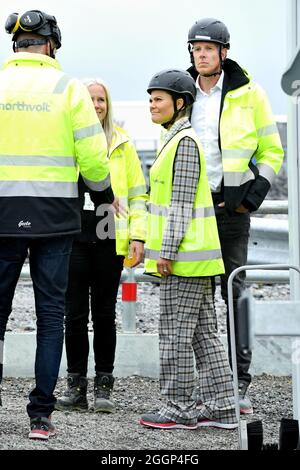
x: 33, y: 160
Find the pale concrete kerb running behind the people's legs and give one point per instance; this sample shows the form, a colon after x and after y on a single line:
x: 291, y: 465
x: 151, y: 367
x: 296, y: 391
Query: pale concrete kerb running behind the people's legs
x: 137, y: 354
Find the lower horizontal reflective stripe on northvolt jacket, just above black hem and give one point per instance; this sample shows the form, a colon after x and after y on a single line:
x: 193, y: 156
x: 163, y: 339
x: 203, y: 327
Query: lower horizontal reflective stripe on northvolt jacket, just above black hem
x: 38, y: 189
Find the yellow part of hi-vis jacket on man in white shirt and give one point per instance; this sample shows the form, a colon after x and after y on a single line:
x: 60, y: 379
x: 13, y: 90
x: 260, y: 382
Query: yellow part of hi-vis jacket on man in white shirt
x: 248, y: 129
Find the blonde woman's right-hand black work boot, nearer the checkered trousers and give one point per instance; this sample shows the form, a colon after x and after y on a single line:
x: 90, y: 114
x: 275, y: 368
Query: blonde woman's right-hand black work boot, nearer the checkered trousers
x: 103, y: 386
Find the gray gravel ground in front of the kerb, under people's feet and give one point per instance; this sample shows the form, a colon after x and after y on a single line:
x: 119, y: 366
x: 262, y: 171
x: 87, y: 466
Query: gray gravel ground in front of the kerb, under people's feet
x: 134, y: 396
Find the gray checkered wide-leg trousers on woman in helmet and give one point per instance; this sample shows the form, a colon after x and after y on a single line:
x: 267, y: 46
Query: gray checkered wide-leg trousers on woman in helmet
x: 188, y: 331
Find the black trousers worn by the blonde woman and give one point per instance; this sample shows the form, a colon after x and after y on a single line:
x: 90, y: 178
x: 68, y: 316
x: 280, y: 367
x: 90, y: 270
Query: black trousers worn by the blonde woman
x: 95, y: 272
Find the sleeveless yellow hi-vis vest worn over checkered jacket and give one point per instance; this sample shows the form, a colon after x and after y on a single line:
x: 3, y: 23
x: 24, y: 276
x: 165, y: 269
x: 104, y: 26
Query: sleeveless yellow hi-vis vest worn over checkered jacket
x: 199, y: 253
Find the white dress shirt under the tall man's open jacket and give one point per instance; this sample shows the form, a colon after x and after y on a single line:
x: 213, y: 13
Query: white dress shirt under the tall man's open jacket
x: 205, y: 121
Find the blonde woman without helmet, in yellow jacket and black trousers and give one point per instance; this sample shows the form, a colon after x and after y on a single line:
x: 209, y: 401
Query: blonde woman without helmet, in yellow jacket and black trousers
x: 97, y: 262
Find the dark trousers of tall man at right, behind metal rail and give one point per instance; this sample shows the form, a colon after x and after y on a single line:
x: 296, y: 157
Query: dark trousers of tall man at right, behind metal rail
x: 233, y: 231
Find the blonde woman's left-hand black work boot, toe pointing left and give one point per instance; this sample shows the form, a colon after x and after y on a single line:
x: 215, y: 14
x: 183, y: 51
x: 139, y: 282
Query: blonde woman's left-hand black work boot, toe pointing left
x: 74, y: 398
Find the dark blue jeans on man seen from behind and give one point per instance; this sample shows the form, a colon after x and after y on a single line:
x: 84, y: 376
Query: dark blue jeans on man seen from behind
x: 49, y: 265
